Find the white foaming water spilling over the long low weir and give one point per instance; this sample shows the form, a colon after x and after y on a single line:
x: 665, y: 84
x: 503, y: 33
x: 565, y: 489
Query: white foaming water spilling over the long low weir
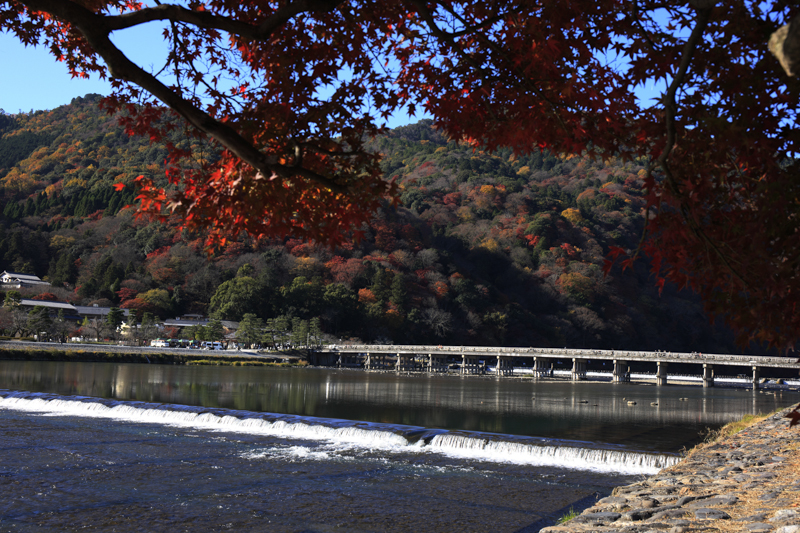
x: 334, y: 436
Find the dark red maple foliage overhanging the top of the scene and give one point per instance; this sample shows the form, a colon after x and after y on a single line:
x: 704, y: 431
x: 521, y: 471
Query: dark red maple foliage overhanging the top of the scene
x: 292, y: 91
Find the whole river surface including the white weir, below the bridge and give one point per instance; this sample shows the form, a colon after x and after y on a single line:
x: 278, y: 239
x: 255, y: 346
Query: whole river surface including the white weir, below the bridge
x: 121, y: 447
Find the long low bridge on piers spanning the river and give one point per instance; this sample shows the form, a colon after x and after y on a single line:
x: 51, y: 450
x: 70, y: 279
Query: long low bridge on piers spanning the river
x: 540, y: 361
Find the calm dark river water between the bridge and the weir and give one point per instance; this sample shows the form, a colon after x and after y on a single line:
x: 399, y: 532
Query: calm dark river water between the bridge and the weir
x: 581, y: 411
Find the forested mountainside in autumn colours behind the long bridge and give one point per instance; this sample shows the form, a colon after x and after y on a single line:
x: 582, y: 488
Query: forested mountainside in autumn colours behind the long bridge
x: 483, y: 248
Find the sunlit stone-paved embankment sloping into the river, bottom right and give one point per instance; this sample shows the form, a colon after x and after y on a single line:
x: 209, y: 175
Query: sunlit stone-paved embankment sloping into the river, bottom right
x: 748, y: 482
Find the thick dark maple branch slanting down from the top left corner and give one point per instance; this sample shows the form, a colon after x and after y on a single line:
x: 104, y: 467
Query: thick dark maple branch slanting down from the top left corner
x: 94, y: 29
